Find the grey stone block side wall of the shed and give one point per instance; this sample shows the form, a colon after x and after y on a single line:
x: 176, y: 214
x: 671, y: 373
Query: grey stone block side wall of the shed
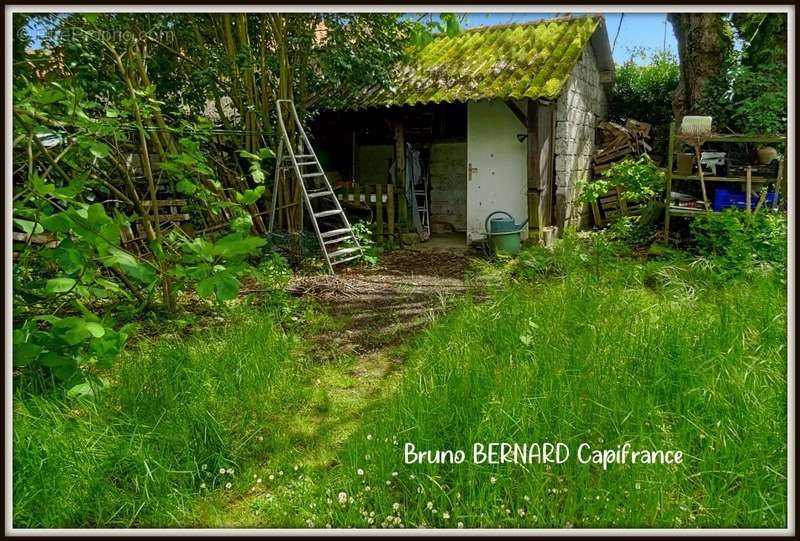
x: 581, y: 106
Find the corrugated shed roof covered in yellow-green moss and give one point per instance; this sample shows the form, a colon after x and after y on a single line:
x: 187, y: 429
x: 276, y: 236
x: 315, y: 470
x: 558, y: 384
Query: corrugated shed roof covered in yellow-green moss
x: 514, y: 61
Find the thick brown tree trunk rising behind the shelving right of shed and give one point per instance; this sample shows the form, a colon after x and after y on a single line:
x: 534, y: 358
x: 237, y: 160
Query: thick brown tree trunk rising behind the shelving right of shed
x: 704, y: 41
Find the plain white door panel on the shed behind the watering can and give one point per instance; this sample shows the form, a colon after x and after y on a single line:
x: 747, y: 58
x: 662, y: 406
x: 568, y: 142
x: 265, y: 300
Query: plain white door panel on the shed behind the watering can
x: 496, y: 165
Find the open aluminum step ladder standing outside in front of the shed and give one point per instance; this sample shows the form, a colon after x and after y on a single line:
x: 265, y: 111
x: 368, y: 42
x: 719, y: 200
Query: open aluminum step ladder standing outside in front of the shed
x: 336, y: 239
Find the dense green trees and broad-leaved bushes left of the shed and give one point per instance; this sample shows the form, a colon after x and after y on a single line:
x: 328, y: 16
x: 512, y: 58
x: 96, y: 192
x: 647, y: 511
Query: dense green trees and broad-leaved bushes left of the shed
x: 115, y: 112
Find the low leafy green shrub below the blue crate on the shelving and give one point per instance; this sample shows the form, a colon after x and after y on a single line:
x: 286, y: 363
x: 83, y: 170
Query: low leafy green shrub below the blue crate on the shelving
x: 738, y: 239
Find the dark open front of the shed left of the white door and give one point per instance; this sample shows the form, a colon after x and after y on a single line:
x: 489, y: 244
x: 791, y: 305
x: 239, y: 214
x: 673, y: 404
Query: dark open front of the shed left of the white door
x: 359, y: 151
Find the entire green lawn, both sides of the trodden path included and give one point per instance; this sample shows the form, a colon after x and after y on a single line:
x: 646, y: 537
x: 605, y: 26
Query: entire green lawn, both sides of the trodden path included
x: 563, y: 348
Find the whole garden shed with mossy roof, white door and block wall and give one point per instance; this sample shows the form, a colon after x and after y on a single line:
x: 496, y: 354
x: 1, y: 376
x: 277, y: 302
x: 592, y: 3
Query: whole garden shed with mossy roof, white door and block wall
x: 494, y: 118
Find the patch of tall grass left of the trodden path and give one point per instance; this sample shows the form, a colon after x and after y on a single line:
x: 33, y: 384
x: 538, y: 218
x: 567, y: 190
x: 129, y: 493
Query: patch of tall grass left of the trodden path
x: 141, y: 453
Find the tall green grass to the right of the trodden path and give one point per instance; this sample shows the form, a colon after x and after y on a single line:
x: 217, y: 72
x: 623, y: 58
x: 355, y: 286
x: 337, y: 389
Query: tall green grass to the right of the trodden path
x: 658, y: 355
